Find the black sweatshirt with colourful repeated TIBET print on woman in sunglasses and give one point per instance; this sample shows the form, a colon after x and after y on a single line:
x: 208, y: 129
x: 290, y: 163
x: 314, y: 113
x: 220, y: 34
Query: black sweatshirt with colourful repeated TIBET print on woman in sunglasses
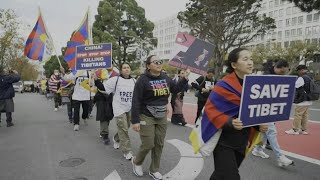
x: 154, y: 91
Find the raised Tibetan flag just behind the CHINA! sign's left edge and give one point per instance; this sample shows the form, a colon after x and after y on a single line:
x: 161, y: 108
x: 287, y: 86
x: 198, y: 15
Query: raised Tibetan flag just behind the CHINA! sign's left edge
x: 79, y: 37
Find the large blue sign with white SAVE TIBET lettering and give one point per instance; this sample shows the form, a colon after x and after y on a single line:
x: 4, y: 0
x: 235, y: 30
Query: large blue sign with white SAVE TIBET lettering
x: 266, y: 98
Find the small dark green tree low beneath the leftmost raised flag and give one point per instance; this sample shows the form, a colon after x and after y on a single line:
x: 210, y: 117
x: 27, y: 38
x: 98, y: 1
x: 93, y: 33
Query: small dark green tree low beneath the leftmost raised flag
x: 53, y: 64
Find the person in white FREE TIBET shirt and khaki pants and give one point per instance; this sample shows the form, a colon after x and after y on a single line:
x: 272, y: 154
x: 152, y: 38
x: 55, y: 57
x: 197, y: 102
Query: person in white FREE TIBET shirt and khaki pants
x: 122, y: 89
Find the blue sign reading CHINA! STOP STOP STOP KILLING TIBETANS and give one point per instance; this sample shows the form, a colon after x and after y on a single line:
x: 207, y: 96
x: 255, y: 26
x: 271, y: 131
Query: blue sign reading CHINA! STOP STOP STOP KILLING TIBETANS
x: 96, y: 56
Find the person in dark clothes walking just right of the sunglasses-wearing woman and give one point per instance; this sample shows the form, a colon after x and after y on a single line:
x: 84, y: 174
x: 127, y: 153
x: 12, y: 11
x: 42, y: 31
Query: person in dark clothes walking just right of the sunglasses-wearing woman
x: 177, y: 102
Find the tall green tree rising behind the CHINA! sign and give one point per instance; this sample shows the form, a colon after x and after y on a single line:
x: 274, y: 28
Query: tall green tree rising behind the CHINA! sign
x: 122, y: 23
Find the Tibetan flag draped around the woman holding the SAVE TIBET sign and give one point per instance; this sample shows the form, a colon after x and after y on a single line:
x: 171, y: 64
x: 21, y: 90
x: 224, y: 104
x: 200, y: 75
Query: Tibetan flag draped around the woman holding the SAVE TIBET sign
x: 223, y: 104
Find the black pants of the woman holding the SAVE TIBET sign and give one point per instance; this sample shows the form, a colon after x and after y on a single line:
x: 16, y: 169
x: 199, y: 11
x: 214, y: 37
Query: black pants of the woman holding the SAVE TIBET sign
x: 226, y: 163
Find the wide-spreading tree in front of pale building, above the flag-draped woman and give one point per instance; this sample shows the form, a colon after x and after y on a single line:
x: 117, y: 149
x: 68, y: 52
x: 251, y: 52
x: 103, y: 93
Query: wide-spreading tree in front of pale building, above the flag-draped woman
x: 226, y: 24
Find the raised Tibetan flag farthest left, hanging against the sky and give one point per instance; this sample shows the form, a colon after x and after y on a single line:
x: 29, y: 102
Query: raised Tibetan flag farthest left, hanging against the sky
x: 39, y: 43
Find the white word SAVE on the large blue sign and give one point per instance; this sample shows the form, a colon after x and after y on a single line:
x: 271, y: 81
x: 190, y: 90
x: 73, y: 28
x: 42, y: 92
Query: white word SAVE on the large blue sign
x: 269, y: 91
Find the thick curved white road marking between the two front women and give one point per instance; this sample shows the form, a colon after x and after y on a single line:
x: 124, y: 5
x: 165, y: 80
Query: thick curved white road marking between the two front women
x: 190, y: 164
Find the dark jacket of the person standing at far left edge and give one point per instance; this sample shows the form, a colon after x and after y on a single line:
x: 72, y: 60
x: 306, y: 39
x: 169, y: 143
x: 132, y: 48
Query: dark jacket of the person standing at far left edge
x: 6, y: 88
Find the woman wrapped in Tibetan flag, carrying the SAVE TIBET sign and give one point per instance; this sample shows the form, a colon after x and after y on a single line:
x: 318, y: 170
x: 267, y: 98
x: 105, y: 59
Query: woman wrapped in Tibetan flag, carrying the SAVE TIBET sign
x: 222, y: 109
